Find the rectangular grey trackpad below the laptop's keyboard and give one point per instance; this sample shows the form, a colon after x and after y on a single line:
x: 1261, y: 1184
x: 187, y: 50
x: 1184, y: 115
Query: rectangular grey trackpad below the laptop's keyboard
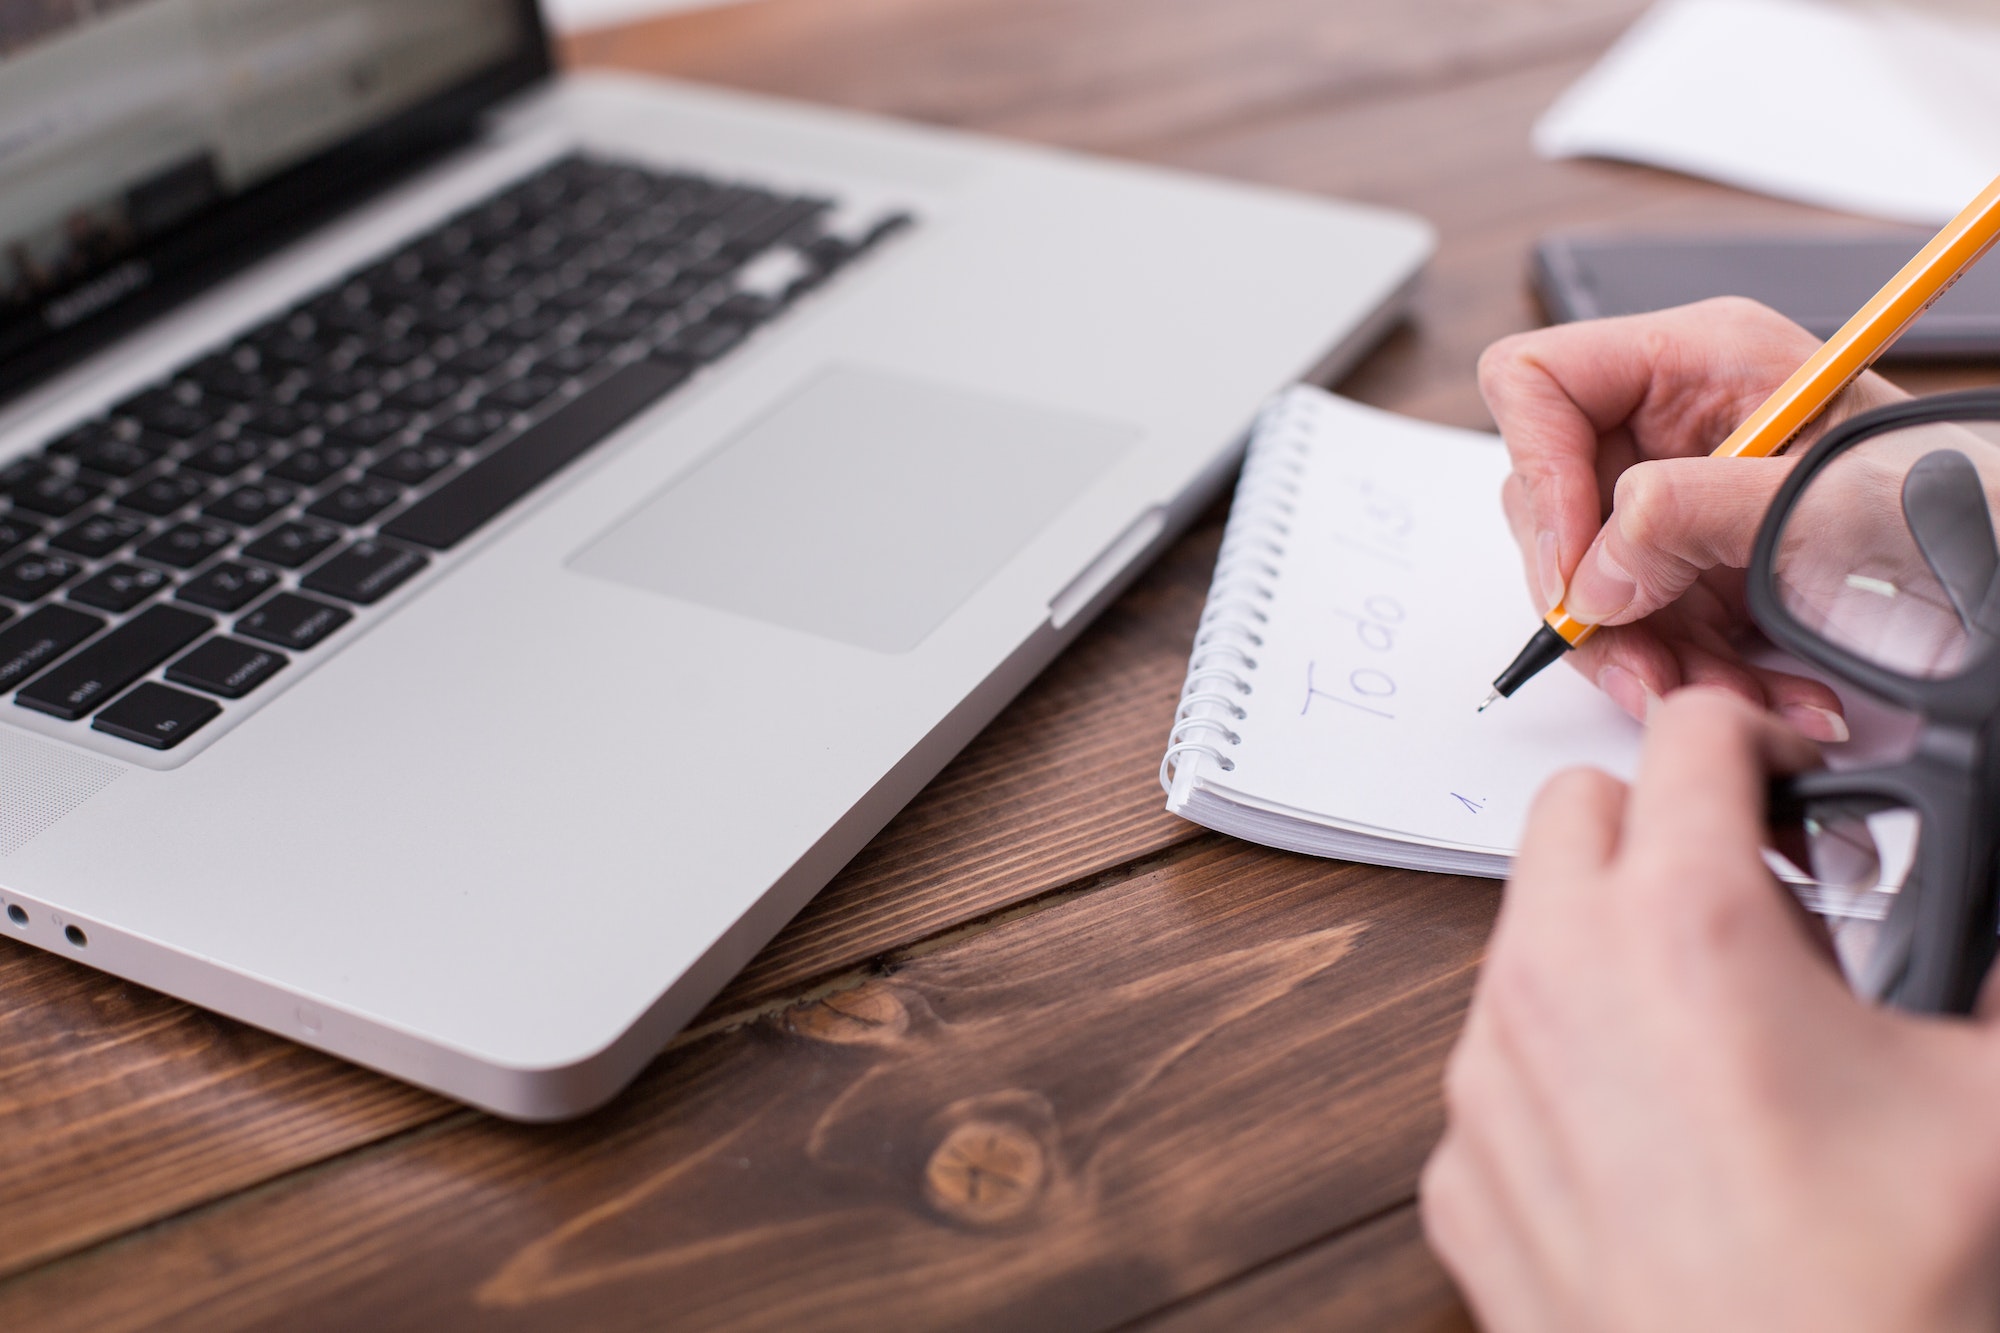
x: 865, y: 507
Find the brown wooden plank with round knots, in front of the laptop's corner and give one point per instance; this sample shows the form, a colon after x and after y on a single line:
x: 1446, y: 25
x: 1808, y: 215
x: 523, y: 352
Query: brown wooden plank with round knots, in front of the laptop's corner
x: 1065, y: 1120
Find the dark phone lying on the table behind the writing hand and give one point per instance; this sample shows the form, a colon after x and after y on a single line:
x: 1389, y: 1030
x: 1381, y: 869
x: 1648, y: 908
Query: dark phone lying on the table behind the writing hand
x: 1819, y: 281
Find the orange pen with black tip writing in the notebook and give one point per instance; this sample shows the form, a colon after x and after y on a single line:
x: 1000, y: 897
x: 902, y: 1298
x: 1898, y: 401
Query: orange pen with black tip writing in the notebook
x: 1803, y: 397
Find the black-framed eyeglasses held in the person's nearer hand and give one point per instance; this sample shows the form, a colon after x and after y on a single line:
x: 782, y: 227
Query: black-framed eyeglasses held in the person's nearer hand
x: 1879, y: 565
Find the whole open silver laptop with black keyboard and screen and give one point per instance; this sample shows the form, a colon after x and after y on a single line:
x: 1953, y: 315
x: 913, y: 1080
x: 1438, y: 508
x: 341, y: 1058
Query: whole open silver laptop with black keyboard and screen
x: 481, y: 549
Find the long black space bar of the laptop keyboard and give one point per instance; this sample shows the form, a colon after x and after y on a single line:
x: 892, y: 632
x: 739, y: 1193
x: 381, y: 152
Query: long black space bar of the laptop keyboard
x: 477, y: 495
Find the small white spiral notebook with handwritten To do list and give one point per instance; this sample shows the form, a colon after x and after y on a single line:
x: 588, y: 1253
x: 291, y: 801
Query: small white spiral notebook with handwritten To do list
x: 1365, y: 597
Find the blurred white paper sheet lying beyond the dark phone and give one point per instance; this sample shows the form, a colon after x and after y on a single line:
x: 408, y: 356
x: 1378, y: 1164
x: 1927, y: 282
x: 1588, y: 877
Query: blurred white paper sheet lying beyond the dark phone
x: 1875, y: 111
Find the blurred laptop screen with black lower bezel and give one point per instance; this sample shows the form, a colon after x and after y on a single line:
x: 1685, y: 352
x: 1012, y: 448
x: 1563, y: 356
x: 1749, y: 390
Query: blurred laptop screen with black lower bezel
x: 147, y: 141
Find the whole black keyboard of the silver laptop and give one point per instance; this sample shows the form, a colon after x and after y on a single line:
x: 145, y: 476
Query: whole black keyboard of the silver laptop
x: 179, y: 553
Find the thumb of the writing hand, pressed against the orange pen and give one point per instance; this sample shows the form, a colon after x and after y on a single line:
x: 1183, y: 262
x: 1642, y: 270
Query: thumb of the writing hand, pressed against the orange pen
x: 1671, y: 521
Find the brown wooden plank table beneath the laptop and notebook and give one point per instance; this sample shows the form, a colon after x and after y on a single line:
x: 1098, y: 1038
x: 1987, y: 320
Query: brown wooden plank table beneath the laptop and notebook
x: 1043, y: 1056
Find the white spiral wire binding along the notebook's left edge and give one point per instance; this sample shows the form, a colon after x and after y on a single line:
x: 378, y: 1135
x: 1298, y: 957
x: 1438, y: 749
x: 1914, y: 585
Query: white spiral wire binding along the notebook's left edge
x: 1223, y: 665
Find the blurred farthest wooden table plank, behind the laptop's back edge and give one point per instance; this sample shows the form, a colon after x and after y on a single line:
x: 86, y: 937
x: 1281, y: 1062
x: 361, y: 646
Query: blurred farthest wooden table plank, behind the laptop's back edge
x: 1103, y: 75
